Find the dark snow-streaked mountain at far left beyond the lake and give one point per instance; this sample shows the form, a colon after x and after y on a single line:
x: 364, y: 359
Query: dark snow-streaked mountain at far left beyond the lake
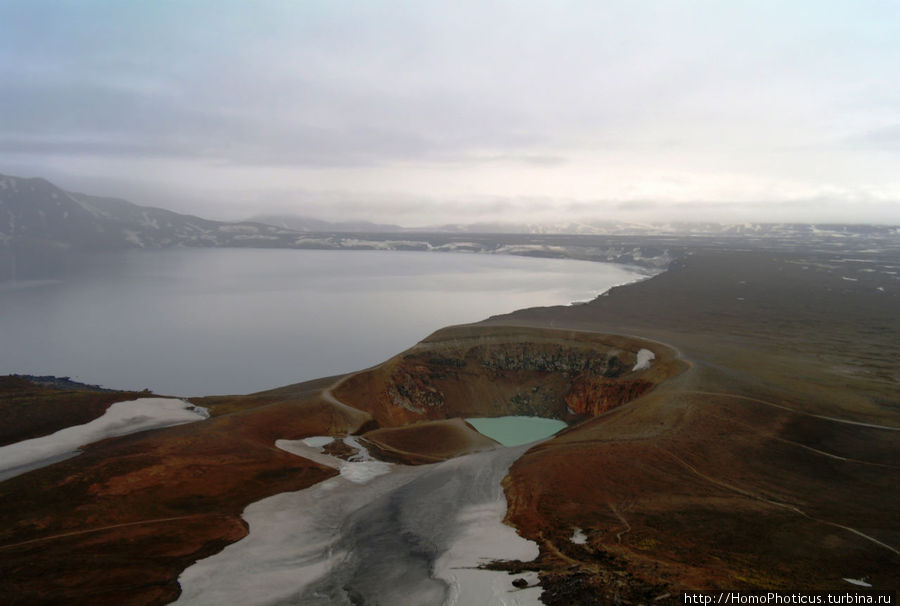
x: 34, y: 213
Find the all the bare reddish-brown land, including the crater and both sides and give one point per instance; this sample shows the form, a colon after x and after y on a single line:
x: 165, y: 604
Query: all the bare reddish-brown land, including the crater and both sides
x: 760, y: 449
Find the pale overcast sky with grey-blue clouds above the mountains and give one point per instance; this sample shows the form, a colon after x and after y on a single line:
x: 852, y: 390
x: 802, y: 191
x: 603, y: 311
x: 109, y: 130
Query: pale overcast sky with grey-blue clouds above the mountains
x: 423, y: 113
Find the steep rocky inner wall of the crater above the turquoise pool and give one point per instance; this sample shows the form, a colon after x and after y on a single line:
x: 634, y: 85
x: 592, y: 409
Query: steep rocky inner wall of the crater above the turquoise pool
x: 469, y: 371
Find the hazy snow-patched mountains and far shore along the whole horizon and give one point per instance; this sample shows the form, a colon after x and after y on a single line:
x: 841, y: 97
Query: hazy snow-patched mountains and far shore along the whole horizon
x: 36, y: 215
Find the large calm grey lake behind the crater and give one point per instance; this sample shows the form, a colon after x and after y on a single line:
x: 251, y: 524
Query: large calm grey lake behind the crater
x: 198, y: 322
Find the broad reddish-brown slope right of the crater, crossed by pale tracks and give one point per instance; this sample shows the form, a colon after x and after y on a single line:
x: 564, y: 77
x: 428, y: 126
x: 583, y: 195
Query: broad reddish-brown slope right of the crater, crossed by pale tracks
x: 772, y: 463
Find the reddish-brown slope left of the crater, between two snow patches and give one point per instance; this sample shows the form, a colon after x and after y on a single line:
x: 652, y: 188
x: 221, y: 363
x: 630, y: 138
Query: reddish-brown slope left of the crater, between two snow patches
x: 117, y: 524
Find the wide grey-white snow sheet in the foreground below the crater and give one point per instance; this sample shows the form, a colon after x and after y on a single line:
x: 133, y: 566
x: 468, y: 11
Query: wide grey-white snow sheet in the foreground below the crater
x: 414, y: 535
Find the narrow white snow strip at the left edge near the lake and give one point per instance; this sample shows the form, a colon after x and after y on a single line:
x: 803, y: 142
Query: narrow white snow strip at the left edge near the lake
x: 119, y: 419
